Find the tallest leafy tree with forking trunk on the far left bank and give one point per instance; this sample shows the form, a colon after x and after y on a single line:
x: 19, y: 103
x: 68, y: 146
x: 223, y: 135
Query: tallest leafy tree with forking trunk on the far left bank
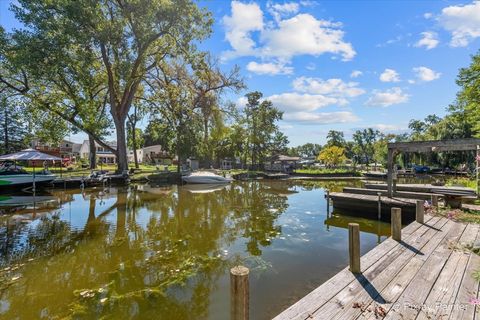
x: 128, y: 38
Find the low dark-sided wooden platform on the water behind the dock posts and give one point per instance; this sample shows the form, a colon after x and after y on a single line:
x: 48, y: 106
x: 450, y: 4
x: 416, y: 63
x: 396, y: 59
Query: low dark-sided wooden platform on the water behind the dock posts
x: 367, y: 205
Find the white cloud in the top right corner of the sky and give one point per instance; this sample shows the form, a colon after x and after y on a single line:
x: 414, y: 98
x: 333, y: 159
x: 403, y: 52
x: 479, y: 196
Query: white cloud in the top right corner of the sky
x: 463, y: 22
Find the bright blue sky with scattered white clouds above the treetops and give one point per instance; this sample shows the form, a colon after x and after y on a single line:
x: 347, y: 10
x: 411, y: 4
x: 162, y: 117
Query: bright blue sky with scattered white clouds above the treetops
x: 343, y: 65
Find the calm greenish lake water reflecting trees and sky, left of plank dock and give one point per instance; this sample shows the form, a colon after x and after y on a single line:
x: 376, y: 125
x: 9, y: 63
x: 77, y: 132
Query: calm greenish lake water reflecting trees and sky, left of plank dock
x: 145, y: 252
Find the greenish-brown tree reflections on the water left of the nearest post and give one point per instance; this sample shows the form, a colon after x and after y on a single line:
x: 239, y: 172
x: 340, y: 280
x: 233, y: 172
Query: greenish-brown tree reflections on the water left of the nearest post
x: 161, y: 257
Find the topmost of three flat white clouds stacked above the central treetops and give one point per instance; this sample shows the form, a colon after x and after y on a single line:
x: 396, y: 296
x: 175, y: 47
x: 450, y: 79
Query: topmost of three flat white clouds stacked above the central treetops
x: 330, y: 87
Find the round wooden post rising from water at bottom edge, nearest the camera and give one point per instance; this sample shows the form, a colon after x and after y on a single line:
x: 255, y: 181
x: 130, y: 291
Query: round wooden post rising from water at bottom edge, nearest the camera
x: 239, y: 293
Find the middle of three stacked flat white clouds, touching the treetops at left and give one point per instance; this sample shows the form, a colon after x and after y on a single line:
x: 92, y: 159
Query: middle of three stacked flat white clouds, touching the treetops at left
x: 294, y: 102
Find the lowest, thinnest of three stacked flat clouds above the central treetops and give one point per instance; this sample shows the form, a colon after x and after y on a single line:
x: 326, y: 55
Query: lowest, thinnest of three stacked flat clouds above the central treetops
x: 321, y: 118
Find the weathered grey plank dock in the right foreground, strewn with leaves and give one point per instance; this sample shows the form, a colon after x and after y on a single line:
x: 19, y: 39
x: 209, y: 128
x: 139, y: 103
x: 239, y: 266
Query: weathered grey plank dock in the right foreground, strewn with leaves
x: 428, y: 275
